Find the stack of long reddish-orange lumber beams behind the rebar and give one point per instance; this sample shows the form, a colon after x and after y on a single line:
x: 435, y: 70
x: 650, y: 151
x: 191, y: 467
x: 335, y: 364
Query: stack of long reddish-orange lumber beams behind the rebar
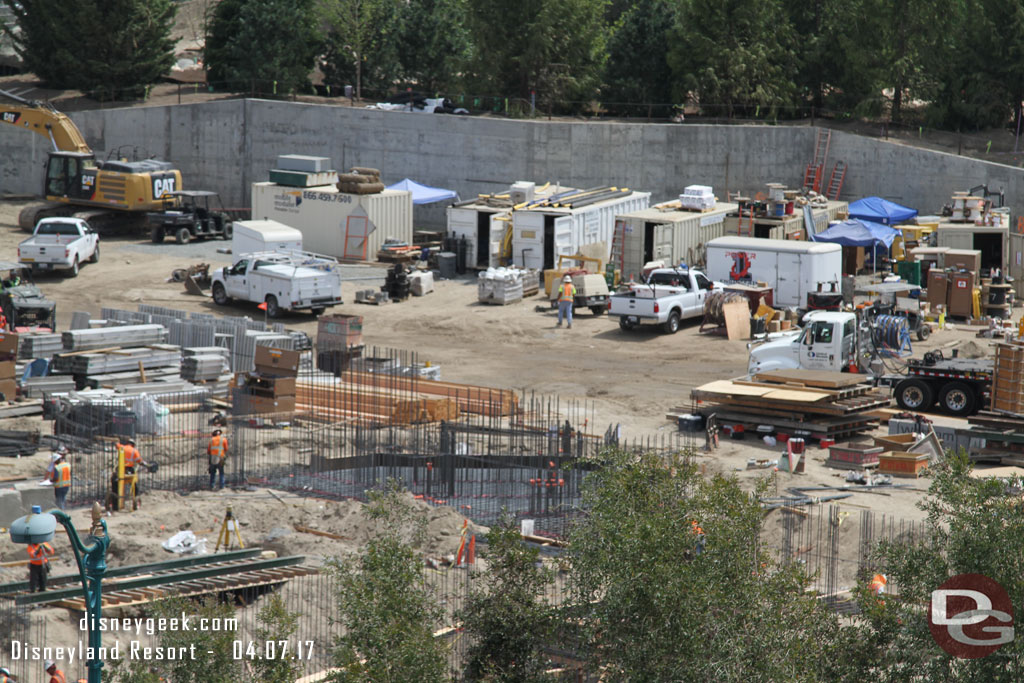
x: 372, y: 405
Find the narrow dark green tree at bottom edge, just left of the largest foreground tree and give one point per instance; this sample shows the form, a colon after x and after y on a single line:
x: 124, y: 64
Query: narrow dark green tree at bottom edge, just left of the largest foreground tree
x: 508, y: 620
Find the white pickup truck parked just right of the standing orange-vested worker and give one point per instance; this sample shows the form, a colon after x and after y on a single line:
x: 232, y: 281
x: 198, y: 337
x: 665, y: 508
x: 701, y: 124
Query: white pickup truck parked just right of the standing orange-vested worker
x: 668, y: 297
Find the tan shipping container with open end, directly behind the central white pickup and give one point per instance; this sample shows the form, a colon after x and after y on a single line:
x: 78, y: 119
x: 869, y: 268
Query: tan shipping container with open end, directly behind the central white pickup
x: 669, y: 235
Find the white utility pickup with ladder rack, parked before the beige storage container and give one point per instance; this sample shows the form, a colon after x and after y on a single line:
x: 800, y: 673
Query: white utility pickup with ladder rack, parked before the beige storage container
x: 284, y: 281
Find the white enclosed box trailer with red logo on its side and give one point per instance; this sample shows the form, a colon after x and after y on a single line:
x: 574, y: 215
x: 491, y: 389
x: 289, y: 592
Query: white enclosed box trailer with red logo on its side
x: 793, y: 269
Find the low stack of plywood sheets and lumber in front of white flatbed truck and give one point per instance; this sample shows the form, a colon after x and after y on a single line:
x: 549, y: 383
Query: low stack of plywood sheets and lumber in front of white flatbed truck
x: 822, y: 405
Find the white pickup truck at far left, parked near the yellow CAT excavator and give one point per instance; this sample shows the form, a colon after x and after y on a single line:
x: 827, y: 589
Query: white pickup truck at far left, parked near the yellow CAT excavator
x: 60, y: 244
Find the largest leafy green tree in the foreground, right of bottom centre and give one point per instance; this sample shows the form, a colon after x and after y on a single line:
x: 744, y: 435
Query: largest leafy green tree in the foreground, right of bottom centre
x: 658, y: 605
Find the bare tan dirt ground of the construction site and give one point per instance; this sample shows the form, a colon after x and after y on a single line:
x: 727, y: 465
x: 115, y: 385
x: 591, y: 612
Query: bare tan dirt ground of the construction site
x: 627, y: 378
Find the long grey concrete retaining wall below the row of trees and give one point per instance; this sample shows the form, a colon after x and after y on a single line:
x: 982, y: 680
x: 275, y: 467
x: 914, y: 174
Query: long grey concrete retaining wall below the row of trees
x: 228, y: 145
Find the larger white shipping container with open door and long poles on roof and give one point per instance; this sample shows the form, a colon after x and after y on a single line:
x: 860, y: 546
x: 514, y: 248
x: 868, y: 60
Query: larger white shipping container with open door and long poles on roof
x: 541, y: 235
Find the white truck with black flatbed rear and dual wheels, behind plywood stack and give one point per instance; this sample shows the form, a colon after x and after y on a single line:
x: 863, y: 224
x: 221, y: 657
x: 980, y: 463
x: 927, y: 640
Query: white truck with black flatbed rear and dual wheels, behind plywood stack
x: 840, y: 341
